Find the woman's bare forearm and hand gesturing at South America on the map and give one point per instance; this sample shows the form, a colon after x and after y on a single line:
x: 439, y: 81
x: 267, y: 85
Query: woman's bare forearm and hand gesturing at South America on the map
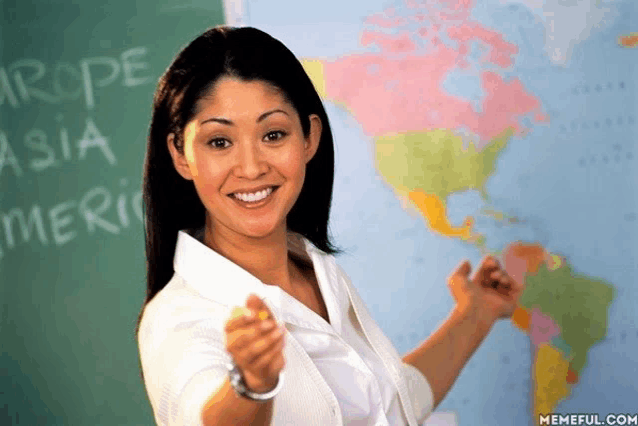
x: 491, y: 294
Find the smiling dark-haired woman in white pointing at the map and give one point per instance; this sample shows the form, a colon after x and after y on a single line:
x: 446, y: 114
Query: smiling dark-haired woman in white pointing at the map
x: 242, y: 282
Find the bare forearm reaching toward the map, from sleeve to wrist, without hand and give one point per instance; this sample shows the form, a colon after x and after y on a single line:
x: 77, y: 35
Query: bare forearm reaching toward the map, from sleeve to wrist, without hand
x: 443, y: 355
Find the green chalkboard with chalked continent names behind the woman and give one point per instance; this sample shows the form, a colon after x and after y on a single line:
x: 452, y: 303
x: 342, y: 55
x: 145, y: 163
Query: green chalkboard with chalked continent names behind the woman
x: 76, y: 85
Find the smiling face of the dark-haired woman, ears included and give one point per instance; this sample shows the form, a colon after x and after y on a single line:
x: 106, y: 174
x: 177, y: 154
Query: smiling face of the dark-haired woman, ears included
x: 246, y: 154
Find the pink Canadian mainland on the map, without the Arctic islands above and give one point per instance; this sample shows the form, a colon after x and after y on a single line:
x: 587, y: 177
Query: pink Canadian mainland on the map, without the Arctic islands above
x: 417, y: 101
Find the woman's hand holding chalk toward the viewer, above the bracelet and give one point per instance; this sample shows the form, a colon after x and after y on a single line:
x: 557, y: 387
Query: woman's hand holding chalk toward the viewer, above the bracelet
x: 256, y: 344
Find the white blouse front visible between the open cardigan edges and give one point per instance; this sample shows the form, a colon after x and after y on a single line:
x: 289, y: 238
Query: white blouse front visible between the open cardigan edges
x: 345, y: 359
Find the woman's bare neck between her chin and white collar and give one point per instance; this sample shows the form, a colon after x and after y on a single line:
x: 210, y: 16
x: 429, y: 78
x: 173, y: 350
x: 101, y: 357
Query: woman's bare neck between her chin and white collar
x: 266, y: 257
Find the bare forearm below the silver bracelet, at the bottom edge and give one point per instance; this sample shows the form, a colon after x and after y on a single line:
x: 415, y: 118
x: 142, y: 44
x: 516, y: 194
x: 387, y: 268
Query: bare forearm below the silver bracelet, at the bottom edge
x: 227, y: 408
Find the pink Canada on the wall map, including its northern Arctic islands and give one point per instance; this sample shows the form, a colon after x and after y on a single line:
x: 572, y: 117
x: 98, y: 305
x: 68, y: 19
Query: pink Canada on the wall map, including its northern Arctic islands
x: 416, y: 100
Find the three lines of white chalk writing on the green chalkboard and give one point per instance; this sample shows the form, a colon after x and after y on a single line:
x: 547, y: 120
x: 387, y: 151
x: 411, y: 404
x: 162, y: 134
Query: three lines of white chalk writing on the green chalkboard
x: 32, y: 84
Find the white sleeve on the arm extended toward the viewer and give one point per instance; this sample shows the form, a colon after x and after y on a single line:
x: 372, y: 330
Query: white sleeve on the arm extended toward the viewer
x: 184, y: 363
